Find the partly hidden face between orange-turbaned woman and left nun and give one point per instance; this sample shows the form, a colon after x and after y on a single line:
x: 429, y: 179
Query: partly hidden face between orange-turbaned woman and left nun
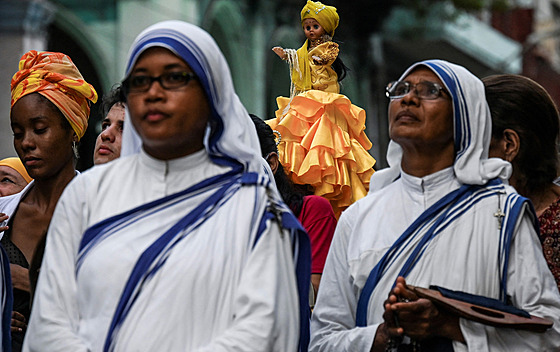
x: 108, y: 142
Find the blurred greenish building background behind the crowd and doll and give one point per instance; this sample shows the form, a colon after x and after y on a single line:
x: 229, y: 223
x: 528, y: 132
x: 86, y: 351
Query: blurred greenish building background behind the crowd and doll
x: 378, y: 40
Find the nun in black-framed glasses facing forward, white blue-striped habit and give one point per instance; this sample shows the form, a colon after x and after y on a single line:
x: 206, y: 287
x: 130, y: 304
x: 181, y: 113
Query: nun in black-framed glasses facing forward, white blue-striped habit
x: 185, y: 244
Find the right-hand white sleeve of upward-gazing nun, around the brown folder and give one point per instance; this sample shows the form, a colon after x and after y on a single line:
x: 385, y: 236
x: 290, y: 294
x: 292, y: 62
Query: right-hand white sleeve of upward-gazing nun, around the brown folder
x: 532, y: 288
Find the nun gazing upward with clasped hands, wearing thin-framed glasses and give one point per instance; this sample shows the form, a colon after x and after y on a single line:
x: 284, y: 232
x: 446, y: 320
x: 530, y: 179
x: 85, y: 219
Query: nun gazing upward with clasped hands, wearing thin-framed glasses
x: 441, y: 214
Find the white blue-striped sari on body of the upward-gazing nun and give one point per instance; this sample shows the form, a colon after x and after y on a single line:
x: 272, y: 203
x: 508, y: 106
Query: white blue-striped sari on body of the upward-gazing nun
x: 466, y: 253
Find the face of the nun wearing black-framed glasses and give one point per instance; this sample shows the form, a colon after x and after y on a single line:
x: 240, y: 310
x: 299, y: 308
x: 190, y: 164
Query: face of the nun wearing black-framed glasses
x: 170, y: 122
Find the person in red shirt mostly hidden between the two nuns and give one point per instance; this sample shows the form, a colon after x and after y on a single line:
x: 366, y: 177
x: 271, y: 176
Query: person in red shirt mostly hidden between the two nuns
x: 313, y: 212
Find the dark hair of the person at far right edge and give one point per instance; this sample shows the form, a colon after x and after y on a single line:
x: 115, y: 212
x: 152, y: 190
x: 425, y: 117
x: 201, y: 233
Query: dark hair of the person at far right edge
x: 521, y: 104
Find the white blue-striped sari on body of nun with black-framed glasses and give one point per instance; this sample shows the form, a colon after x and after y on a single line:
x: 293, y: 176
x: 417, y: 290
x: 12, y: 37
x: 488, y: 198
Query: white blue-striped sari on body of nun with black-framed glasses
x: 219, y: 285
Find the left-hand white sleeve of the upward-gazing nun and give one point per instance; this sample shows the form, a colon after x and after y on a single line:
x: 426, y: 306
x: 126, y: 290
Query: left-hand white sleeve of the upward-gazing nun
x: 333, y: 324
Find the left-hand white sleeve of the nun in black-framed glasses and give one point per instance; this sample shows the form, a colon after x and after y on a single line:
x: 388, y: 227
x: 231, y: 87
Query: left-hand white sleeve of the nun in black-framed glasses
x: 54, y: 320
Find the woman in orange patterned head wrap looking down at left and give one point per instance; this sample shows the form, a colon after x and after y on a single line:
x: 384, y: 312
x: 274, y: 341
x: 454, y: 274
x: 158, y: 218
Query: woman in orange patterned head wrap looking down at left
x: 50, y: 108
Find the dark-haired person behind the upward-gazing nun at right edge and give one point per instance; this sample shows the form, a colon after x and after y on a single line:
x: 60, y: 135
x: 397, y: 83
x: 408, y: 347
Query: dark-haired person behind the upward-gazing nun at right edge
x: 525, y: 128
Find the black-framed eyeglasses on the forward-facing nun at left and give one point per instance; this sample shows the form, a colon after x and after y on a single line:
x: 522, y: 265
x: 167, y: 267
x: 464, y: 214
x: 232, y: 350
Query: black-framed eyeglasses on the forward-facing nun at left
x: 168, y: 80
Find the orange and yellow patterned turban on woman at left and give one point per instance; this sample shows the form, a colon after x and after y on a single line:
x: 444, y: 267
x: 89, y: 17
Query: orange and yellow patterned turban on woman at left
x: 54, y: 76
